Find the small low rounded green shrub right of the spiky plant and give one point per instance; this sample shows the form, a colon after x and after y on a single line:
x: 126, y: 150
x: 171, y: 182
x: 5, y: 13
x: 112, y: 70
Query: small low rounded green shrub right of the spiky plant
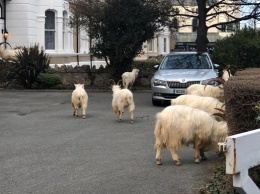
x: 46, y: 80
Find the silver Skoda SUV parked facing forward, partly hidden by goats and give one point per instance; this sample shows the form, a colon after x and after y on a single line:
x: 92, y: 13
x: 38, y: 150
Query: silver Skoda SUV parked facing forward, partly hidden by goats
x: 179, y: 70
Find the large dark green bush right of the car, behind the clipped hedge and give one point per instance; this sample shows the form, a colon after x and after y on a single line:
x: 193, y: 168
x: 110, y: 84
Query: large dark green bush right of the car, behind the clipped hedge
x: 240, y: 49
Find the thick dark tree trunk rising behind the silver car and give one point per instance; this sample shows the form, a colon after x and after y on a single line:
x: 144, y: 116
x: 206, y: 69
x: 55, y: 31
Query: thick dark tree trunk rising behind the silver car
x: 202, y: 30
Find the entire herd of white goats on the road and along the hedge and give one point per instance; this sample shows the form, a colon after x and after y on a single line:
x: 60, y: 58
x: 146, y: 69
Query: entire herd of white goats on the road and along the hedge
x: 195, y: 118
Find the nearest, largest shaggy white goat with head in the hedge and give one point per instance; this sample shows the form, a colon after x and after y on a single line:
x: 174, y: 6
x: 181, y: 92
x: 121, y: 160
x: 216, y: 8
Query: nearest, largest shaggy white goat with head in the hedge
x: 180, y: 125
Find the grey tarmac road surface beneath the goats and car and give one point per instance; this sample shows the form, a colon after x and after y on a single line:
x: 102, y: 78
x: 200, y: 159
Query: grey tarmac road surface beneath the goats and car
x: 44, y: 149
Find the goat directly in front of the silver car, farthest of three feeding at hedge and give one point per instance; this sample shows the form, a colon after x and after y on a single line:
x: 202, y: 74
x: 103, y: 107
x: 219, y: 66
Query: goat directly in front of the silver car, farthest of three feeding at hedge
x: 208, y: 90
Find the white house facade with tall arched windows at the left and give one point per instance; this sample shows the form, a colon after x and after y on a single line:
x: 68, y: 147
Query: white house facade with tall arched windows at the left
x: 43, y: 22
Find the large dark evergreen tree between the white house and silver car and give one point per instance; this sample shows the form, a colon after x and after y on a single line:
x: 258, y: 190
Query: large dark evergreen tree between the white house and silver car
x: 120, y: 28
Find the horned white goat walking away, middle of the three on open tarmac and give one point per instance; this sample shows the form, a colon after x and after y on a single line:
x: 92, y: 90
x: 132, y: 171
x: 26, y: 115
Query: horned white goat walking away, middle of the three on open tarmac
x: 122, y: 98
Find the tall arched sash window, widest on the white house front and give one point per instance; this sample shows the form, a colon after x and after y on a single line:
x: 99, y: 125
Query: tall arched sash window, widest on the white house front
x: 49, y: 30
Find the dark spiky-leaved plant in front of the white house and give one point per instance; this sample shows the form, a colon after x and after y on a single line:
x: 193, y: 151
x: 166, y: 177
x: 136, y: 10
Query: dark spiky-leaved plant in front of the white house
x: 29, y: 64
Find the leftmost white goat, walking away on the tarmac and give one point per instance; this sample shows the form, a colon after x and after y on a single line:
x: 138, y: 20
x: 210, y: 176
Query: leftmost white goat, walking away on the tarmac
x: 79, y: 99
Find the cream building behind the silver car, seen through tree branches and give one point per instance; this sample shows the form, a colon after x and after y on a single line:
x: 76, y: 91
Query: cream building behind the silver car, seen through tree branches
x: 184, y: 38
